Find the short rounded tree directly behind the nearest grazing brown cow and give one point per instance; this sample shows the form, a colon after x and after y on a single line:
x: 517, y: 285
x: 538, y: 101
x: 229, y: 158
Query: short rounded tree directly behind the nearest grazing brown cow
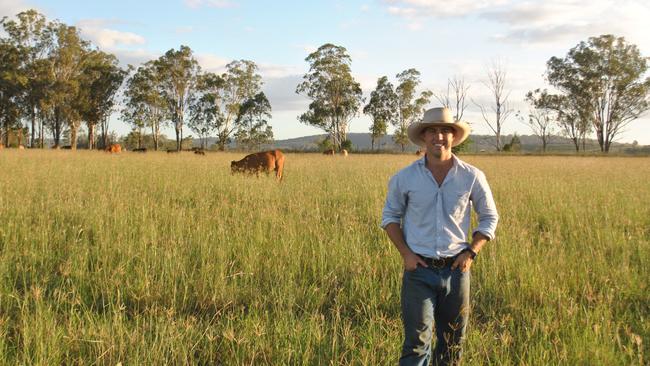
x: 253, y: 122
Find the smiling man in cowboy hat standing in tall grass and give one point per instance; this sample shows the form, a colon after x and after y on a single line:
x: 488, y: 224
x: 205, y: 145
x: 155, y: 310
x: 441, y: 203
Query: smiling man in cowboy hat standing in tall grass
x: 427, y: 217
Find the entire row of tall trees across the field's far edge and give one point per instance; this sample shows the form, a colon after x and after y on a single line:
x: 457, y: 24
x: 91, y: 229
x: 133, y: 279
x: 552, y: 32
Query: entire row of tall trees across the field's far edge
x: 54, y: 81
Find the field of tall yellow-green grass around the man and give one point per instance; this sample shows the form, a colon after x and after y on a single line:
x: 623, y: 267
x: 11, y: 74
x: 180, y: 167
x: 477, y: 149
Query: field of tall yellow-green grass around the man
x: 155, y: 259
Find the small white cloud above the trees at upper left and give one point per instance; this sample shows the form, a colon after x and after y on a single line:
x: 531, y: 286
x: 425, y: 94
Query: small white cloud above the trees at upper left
x: 100, y: 35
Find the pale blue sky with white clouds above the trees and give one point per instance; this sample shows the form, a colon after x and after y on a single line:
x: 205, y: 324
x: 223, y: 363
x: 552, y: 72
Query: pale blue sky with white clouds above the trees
x: 441, y: 39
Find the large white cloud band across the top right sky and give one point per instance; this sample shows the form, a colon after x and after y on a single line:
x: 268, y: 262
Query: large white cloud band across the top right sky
x: 538, y: 21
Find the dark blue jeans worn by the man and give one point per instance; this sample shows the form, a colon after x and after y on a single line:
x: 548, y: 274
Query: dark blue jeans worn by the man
x: 429, y: 294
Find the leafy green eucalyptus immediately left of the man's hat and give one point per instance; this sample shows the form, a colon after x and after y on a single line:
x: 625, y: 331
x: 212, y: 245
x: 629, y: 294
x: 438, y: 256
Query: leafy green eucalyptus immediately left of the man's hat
x: 410, y: 105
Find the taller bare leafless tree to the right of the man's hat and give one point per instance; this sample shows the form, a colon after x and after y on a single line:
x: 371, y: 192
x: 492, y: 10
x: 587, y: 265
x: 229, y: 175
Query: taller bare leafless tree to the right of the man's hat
x: 501, y: 108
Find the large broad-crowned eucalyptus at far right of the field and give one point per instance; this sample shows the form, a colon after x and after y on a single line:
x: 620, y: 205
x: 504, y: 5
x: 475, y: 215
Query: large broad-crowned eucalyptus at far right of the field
x: 605, y: 79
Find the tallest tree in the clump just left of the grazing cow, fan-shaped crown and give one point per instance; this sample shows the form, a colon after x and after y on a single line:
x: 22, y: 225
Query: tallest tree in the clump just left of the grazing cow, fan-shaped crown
x: 178, y: 72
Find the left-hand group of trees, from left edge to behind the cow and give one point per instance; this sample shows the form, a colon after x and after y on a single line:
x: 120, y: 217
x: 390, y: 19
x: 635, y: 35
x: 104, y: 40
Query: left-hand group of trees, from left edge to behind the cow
x: 56, y: 81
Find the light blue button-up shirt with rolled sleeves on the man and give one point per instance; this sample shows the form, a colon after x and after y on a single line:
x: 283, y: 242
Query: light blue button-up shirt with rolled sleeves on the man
x: 435, y: 219
